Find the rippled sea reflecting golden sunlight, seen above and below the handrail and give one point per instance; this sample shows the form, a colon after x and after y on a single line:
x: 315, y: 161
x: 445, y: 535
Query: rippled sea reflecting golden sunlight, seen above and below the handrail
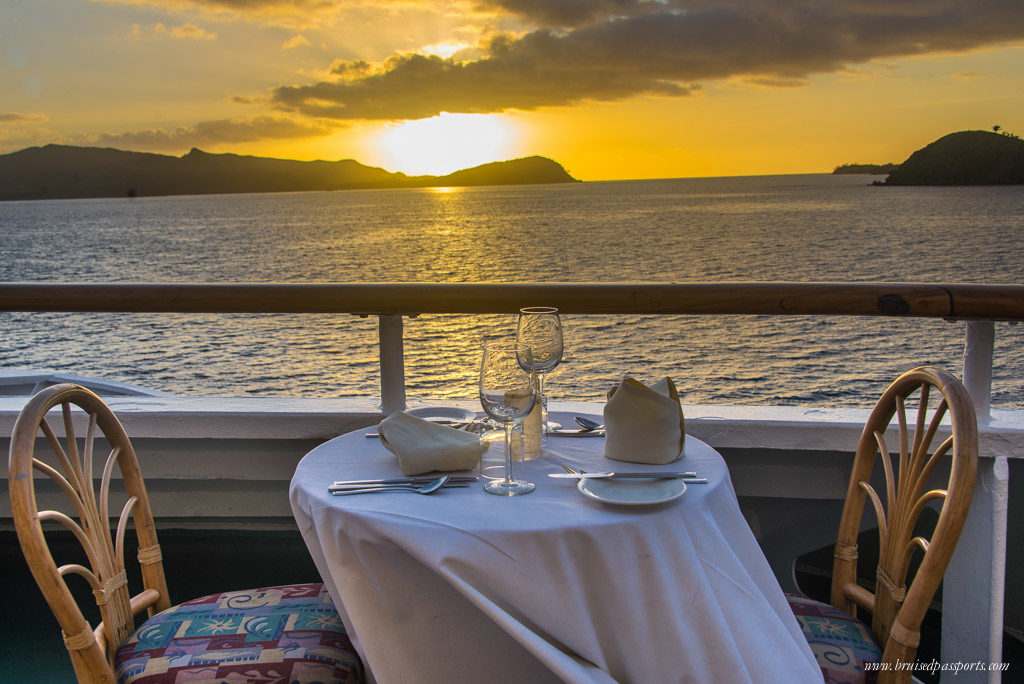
x: 803, y: 228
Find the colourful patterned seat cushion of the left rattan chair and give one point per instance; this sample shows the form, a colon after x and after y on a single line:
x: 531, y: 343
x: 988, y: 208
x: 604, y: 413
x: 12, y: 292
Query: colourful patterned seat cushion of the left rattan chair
x: 290, y: 634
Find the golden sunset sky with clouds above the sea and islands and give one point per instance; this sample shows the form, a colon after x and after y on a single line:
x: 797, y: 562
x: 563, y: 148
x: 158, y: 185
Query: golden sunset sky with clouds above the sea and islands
x: 611, y: 89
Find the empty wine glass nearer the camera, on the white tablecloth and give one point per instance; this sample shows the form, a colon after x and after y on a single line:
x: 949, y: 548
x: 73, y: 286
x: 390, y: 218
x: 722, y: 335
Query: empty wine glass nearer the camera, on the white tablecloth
x: 507, y: 395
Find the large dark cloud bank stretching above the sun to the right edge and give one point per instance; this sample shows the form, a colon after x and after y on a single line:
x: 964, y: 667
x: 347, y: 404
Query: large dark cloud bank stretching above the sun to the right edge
x: 614, y: 50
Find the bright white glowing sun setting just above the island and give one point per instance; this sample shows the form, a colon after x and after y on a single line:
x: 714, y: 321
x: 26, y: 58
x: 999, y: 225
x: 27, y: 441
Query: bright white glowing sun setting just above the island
x: 447, y: 143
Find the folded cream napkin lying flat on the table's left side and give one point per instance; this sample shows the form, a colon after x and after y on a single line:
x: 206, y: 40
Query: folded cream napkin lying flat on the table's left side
x: 423, y: 447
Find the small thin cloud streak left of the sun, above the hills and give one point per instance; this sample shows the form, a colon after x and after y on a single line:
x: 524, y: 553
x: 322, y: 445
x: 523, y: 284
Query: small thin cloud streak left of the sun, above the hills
x: 214, y: 133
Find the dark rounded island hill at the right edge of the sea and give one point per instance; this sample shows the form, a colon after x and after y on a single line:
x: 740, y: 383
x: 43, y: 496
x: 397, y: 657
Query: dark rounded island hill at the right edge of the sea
x: 965, y: 158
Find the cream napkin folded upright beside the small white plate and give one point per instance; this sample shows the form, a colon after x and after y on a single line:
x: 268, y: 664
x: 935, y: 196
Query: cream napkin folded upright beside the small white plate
x: 645, y: 424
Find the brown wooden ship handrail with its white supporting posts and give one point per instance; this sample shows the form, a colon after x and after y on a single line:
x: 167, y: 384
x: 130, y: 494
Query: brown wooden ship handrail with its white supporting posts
x: 979, y: 305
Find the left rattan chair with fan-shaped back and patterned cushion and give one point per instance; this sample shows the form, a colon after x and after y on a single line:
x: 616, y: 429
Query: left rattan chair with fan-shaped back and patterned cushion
x: 291, y: 633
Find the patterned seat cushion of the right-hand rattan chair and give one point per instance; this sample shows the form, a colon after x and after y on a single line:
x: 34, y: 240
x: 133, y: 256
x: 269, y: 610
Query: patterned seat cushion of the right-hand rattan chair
x: 841, y: 644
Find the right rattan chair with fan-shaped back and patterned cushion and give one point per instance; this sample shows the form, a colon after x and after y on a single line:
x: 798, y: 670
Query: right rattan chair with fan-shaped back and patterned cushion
x: 898, y: 606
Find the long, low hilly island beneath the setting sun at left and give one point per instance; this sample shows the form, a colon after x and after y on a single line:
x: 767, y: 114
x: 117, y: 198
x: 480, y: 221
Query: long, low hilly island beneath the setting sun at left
x: 66, y: 173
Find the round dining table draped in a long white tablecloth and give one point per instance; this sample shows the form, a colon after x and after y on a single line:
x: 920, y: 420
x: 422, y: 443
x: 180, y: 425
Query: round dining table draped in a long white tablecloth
x: 554, y: 586
